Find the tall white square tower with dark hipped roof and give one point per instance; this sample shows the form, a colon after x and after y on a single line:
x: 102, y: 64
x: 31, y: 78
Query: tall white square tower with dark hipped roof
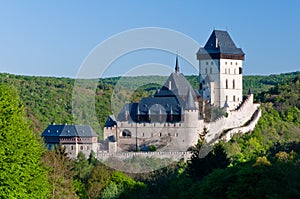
x: 220, y: 70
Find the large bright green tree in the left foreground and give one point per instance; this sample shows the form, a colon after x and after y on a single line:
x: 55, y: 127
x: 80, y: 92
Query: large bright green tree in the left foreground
x: 21, y: 173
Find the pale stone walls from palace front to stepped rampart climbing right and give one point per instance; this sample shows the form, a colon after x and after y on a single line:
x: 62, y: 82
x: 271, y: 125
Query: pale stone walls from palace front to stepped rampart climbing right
x: 180, y: 136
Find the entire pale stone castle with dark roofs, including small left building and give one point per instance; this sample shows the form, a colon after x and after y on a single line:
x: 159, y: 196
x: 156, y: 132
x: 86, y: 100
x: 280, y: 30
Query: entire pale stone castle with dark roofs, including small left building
x: 173, y: 119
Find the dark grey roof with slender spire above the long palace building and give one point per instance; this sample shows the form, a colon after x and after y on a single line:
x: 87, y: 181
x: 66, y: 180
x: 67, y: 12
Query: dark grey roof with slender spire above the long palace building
x: 175, y: 96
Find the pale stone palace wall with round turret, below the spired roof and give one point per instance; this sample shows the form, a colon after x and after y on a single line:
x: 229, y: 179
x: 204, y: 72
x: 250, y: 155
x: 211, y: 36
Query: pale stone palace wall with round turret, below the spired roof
x: 165, y: 136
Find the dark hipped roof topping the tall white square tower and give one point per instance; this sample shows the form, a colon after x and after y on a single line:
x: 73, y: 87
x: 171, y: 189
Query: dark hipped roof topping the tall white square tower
x: 220, y: 42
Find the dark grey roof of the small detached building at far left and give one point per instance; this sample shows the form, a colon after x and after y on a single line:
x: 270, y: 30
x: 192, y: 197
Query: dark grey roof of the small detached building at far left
x: 69, y: 131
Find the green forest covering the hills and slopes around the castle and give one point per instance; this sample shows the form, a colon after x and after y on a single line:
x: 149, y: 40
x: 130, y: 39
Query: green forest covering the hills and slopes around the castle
x: 261, y: 164
